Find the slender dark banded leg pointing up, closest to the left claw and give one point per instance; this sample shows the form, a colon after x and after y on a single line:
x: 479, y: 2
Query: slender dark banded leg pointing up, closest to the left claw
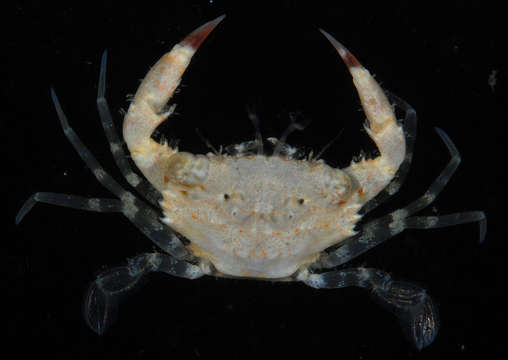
x: 142, y: 186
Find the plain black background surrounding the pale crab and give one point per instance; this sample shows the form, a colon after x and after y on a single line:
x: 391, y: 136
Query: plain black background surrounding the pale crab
x: 272, y: 57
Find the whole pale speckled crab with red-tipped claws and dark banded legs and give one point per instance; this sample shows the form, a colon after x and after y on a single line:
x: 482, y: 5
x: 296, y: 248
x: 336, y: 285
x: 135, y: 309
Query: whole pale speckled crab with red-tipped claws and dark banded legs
x: 245, y: 213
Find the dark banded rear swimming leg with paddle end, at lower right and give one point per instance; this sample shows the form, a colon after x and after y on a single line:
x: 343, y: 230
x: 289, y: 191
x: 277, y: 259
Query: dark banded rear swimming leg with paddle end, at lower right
x: 417, y: 314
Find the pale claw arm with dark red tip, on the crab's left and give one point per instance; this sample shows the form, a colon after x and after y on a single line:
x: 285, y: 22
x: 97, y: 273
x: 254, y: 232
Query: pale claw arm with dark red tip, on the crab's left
x: 146, y: 111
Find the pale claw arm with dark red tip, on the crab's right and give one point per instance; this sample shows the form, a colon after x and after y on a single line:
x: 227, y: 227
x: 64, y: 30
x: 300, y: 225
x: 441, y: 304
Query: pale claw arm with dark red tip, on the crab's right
x: 374, y: 174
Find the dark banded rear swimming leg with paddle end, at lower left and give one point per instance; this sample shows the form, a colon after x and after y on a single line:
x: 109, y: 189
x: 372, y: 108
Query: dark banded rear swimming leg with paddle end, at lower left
x: 102, y: 298
